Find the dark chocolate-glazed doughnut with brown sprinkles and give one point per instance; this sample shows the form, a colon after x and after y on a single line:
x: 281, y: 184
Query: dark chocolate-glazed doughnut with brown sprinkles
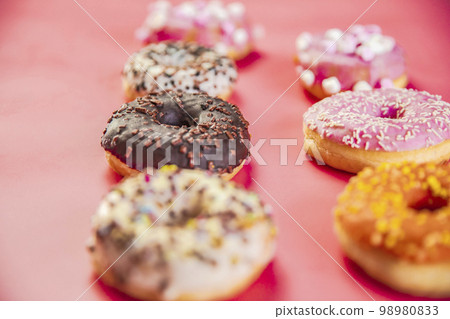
x: 190, y: 130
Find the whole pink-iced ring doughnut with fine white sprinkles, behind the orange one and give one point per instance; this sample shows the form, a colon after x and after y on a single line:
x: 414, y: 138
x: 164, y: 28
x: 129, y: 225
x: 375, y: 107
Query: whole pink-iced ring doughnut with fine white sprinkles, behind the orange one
x: 352, y: 130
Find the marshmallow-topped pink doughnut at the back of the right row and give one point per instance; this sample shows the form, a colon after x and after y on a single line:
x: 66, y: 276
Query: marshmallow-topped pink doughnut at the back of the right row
x: 360, y: 59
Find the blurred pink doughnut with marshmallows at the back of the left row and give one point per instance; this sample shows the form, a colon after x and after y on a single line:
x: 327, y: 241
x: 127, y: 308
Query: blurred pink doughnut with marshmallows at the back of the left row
x: 226, y: 28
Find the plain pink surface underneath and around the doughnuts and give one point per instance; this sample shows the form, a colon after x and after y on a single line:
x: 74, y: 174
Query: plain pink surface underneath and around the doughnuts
x: 60, y: 83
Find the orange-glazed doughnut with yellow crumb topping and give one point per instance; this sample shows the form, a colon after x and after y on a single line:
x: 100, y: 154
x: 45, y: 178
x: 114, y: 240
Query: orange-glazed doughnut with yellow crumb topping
x: 394, y: 221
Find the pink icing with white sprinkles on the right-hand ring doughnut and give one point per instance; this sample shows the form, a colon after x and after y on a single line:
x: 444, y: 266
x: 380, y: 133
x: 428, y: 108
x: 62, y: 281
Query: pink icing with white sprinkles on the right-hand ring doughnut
x: 381, y: 120
